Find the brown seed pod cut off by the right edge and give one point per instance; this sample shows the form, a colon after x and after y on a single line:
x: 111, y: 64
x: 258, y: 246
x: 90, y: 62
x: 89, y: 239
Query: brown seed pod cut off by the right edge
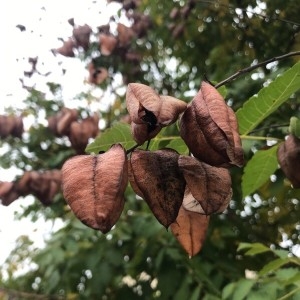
x: 288, y: 155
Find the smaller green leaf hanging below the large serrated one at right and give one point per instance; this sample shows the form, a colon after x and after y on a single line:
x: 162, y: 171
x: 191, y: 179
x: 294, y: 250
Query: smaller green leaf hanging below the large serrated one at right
x: 259, y: 169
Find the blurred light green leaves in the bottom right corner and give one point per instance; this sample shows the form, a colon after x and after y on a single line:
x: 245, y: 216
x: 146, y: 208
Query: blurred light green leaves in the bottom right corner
x: 278, y: 279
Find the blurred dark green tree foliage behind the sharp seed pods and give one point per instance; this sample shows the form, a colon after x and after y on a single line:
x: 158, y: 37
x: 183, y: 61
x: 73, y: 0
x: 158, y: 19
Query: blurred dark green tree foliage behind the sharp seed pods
x: 182, y: 43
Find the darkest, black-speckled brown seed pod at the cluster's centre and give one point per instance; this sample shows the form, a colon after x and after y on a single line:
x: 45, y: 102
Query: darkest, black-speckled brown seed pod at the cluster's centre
x: 156, y: 177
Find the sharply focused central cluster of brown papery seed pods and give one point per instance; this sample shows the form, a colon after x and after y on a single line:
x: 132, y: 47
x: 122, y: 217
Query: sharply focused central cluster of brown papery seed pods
x: 182, y: 191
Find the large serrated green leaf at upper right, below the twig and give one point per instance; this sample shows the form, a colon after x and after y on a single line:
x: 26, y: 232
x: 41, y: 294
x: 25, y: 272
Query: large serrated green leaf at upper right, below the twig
x: 268, y: 99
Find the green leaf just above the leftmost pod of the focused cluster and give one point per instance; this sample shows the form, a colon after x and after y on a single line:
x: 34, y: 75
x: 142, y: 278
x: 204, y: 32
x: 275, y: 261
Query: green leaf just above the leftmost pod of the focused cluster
x: 119, y: 133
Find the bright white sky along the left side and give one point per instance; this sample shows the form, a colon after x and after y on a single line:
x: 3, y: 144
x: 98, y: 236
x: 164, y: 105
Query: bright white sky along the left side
x: 45, y: 21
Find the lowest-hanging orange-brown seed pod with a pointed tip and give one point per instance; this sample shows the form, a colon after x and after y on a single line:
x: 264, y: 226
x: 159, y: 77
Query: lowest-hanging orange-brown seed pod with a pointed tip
x: 190, y: 230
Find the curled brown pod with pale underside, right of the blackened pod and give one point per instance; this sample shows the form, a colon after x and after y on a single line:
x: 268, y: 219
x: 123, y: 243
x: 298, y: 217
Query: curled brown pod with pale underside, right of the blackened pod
x: 210, y: 186
